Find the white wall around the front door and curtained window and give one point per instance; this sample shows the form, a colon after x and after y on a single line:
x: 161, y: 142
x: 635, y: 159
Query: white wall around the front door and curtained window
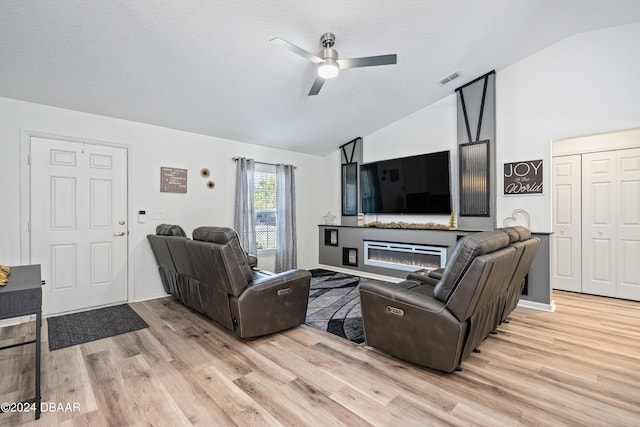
x: 152, y: 147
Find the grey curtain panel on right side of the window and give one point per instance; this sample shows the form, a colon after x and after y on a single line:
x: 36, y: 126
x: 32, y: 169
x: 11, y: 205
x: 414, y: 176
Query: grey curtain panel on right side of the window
x: 286, y: 249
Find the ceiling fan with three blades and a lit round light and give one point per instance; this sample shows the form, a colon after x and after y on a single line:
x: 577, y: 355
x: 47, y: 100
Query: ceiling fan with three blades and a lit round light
x: 328, y: 63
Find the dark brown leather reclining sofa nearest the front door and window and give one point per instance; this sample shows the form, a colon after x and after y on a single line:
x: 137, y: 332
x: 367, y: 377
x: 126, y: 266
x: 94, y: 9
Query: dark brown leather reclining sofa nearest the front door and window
x: 213, y: 275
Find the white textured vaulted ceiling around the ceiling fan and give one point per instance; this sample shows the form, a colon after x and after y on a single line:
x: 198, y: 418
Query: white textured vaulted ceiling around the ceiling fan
x: 207, y: 66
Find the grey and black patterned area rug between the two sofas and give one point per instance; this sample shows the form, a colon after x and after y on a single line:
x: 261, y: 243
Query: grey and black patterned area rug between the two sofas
x: 334, y: 304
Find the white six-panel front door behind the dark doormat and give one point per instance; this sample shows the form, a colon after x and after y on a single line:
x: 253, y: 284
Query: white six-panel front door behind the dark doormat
x: 79, y: 229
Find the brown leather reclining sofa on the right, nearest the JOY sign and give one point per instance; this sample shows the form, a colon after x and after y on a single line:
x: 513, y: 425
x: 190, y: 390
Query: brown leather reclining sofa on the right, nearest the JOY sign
x: 437, y: 318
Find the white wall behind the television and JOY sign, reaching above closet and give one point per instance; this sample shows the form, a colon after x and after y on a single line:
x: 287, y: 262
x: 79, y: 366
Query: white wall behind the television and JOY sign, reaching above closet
x: 583, y: 85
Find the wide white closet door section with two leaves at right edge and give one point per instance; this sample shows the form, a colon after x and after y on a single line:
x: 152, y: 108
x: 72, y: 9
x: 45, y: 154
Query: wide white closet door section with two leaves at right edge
x: 611, y: 223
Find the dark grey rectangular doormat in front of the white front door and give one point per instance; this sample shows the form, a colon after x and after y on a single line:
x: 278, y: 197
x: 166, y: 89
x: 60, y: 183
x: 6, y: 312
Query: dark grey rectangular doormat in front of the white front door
x: 92, y: 325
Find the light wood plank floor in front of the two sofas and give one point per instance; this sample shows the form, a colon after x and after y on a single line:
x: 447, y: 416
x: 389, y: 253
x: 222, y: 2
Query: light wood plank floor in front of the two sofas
x: 577, y: 366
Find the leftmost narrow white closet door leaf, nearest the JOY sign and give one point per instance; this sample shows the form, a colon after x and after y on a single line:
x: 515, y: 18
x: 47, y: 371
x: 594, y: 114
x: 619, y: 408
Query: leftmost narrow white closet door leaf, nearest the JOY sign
x: 566, y: 256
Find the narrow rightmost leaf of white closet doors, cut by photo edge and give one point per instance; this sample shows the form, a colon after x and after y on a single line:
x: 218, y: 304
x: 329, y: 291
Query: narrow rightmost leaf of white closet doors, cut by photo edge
x: 628, y: 245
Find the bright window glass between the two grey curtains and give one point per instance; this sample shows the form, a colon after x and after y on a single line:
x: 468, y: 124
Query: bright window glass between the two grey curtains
x: 264, y: 204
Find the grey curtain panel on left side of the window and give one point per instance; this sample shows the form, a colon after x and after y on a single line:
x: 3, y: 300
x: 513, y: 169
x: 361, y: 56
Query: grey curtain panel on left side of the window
x: 244, y: 214
